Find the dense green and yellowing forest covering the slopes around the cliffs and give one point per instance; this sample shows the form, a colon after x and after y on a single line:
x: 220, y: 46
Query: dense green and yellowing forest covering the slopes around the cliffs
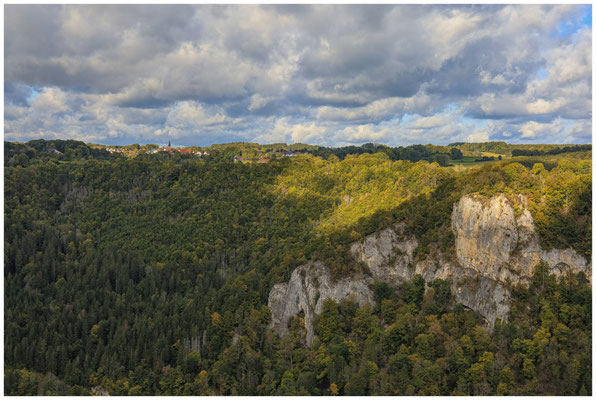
x: 150, y: 275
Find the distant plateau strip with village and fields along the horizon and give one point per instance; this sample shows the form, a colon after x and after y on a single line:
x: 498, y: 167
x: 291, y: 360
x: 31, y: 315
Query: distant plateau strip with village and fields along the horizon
x: 458, y: 153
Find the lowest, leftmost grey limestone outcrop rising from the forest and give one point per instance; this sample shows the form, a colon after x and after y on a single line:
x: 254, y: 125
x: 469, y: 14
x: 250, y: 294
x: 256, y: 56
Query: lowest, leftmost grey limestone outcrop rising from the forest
x: 309, y: 286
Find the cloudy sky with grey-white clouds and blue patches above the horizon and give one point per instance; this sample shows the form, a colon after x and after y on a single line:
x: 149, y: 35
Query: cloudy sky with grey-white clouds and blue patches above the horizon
x: 331, y: 75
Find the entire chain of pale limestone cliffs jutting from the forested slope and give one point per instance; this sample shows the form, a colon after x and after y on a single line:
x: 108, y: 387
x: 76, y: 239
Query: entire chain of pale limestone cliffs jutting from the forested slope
x: 494, y: 248
